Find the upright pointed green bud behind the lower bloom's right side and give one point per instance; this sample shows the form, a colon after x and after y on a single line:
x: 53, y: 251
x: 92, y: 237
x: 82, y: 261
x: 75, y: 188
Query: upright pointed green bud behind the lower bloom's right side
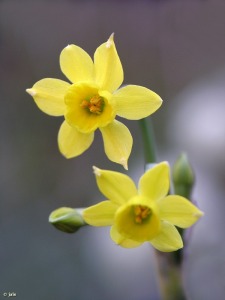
x: 183, y: 176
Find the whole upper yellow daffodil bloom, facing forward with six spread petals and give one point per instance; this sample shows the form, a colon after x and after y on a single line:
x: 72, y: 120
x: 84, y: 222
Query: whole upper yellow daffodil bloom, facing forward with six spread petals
x: 93, y: 100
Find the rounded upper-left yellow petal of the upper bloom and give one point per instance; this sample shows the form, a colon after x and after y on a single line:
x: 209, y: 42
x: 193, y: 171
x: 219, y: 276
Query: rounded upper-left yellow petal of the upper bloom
x: 76, y: 64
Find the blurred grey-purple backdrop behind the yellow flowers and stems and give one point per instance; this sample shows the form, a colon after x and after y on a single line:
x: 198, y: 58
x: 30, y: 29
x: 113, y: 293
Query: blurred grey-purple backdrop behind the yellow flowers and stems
x: 177, y: 49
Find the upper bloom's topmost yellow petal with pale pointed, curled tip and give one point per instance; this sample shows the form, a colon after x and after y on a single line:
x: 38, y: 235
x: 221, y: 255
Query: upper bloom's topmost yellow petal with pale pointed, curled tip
x: 108, y: 68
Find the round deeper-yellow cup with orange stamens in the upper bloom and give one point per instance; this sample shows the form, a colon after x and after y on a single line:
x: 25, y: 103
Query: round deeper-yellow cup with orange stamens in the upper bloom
x: 88, y: 107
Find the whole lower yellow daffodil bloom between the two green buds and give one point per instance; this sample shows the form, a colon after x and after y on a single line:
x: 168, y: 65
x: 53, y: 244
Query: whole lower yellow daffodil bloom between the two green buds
x: 146, y: 214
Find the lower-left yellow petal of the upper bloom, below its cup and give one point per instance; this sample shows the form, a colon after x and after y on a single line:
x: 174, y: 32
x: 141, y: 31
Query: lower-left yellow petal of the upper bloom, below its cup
x: 72, y: 142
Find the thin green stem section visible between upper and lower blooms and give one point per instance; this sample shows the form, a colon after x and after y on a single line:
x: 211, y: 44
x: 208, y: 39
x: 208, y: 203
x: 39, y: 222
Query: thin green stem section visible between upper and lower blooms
x: 148, y: 140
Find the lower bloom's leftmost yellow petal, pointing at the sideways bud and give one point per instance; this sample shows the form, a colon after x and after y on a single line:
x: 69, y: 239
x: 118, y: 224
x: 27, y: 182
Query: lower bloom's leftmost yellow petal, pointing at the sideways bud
x: 101, y: 214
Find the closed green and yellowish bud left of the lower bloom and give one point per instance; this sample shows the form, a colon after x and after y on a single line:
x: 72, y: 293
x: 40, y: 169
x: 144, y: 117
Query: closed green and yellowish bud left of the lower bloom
x: 67, y: 219
